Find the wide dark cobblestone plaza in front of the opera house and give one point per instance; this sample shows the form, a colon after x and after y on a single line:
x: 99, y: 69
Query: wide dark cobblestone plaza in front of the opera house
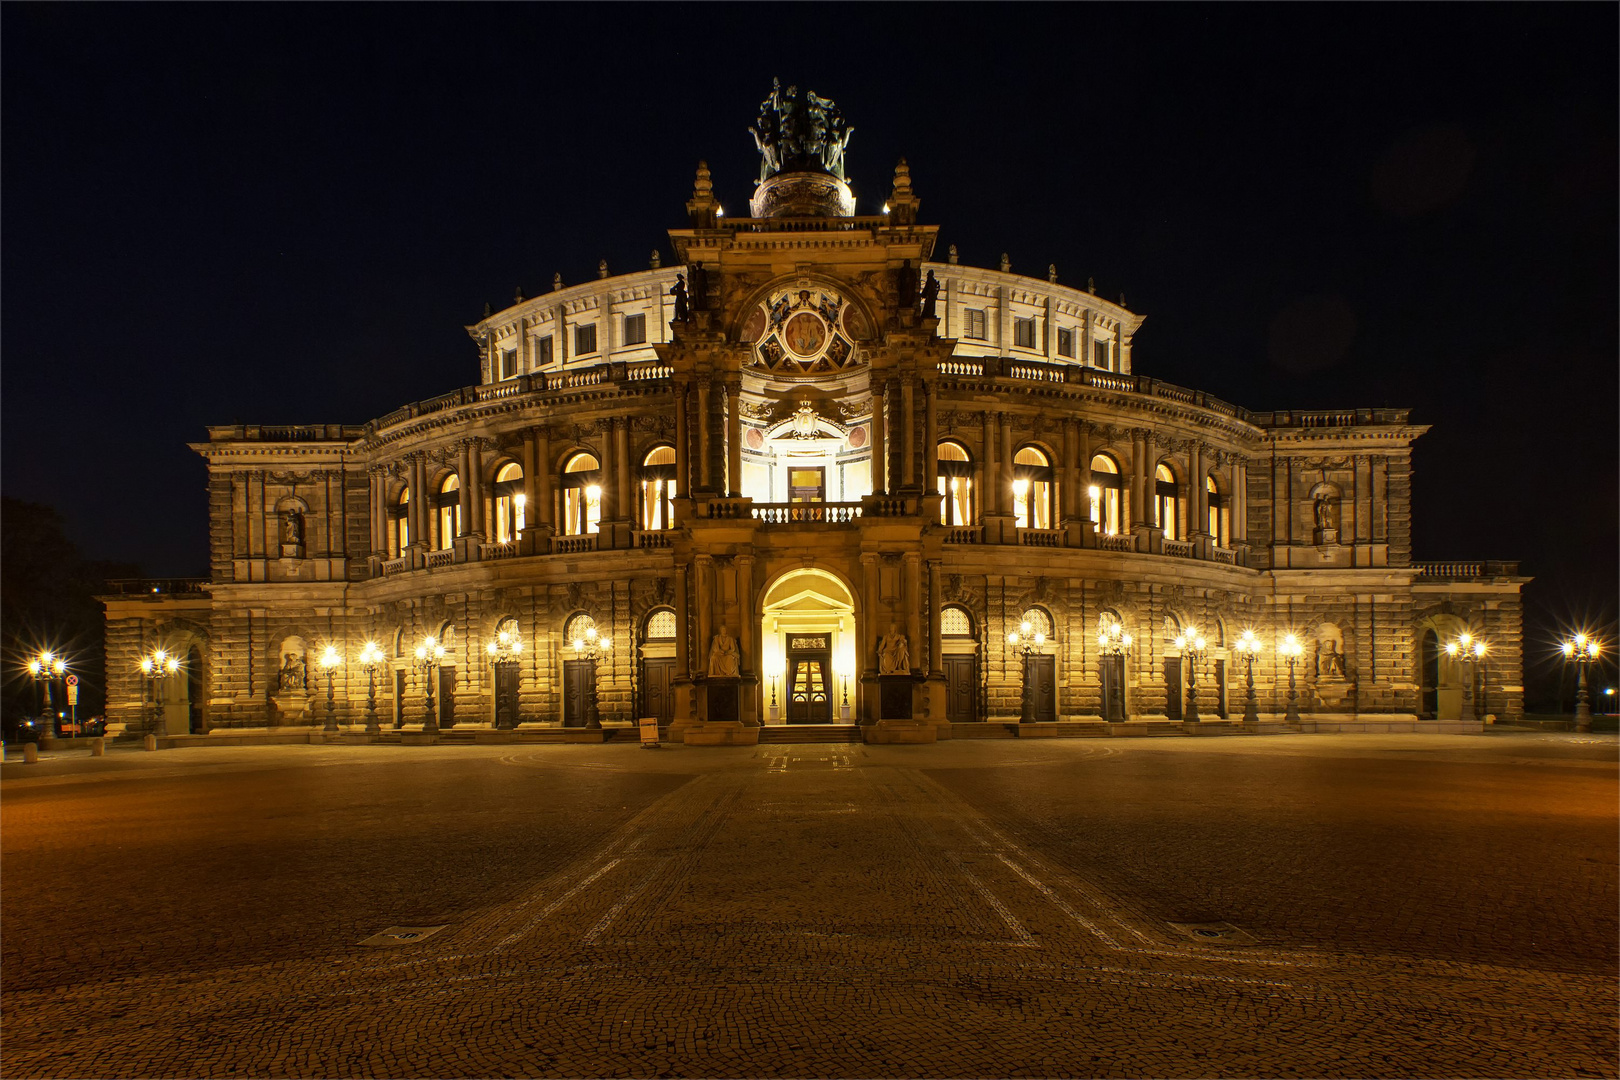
x: 1337, y: 906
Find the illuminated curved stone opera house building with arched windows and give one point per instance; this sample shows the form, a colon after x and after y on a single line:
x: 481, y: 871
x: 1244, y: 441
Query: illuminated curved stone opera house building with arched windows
x: 816, y: 474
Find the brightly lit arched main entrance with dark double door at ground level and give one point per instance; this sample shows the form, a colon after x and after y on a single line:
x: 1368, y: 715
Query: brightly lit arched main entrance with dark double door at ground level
x: 809, y: 647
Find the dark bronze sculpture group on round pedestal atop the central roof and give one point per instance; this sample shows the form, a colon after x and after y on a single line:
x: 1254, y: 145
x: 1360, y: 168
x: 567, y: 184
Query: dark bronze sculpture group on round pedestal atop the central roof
x: 803, y: 143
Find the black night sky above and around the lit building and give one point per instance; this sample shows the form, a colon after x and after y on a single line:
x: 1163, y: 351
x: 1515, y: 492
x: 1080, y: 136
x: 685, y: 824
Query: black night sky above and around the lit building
x: 288, y: 215
